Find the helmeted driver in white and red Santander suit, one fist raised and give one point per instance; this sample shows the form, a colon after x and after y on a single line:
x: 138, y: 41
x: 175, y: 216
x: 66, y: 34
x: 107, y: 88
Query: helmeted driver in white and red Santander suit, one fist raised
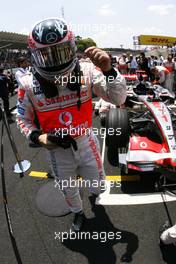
x: 59, y: 92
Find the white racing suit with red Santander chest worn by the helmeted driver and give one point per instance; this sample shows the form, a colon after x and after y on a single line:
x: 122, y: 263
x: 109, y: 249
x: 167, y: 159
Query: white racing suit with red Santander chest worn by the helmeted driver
x: 61, y: 113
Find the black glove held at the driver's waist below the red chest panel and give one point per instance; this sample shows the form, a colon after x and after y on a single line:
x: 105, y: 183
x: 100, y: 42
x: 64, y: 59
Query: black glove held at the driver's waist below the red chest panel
x: 63, y: 141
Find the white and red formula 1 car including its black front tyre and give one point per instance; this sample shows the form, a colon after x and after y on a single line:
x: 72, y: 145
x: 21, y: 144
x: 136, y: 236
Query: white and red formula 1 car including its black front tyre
x: 147, y: 140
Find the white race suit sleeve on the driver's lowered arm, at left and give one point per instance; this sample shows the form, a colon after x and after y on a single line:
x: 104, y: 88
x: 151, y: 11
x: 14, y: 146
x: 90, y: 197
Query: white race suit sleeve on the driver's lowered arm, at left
x: 25, y: 114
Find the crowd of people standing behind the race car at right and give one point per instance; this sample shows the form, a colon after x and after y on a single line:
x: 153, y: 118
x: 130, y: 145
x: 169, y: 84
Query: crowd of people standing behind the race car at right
x: 156, y: 68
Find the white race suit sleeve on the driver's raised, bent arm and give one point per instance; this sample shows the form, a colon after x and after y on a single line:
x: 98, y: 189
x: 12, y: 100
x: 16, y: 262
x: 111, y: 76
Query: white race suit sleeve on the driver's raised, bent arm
x: 110, y: 89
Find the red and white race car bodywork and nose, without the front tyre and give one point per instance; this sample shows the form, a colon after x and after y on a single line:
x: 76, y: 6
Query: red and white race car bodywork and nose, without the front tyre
x: 152, y: 143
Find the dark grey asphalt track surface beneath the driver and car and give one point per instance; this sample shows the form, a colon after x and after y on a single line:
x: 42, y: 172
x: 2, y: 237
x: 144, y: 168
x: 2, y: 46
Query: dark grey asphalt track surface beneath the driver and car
x: 35, y: 233
